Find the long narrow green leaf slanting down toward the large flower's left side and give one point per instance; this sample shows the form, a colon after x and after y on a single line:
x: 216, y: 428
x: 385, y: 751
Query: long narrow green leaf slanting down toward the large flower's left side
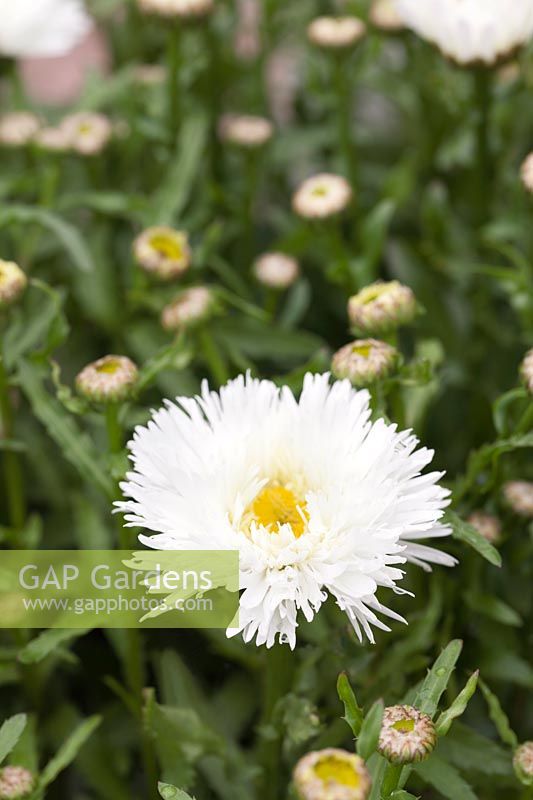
x: 76, y: 446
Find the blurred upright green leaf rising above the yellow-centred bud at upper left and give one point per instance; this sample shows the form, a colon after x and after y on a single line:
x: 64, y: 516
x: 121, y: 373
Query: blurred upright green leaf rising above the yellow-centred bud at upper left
x: 170, y: 200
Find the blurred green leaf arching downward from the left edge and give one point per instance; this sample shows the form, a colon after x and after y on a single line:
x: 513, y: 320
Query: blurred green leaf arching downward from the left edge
x: 67, y: 235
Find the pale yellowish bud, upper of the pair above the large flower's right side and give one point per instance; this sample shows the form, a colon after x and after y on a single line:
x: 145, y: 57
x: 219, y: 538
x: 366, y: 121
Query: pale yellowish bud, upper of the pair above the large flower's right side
x: 382, y: 307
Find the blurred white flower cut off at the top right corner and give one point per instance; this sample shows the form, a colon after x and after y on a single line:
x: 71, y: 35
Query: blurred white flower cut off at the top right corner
x: 470, y: 31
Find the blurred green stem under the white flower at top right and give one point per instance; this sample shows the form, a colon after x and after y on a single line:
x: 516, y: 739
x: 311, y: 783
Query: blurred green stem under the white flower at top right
x: 483, y: 96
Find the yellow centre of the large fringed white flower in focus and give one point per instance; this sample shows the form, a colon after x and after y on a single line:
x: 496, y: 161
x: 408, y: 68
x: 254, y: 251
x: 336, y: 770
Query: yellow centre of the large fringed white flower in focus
x: 276, y: 505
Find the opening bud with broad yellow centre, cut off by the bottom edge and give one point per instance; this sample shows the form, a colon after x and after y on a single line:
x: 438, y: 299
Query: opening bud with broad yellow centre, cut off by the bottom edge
x: 331, y: 774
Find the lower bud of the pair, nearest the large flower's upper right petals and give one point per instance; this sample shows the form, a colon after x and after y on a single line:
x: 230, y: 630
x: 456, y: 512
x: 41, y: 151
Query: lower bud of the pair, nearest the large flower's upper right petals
x: 364, y: 362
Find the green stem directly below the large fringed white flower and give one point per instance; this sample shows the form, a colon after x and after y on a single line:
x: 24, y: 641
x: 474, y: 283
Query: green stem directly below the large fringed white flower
x: 277, y: 683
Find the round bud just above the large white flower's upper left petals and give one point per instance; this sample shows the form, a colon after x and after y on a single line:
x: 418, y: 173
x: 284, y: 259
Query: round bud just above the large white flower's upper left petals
x: 111, y: 379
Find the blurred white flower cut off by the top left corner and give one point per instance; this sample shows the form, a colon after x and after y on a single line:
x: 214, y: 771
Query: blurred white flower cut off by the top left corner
x: 42, y: 28
